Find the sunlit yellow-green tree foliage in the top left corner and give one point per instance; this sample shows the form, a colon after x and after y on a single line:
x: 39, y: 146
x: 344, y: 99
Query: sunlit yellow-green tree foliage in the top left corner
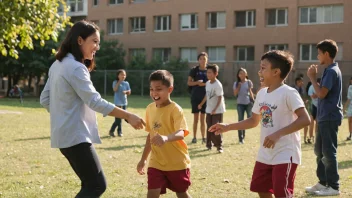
x: 25, y: 20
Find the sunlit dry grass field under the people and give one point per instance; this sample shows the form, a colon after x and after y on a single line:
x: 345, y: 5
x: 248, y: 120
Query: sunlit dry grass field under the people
x: 30, y: 168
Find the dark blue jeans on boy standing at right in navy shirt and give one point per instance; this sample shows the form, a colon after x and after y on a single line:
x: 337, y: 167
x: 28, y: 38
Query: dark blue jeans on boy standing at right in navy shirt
x: 325, y: 149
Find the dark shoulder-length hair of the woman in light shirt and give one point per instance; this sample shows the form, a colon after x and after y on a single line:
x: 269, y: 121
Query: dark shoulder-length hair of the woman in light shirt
x: 70, y: 44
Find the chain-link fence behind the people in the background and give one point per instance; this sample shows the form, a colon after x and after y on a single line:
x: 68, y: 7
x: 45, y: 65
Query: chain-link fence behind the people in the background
x: 138, y: 79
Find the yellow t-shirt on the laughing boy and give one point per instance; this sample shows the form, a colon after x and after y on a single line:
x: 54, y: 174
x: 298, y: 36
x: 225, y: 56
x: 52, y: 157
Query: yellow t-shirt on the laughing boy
x: 167, y: 120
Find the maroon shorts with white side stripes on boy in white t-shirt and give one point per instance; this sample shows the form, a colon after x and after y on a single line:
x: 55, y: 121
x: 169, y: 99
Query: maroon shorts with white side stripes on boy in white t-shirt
x: 276, y: 179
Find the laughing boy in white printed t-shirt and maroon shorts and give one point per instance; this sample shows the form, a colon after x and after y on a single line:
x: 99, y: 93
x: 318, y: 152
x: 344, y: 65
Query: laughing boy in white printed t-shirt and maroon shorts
x: 281, y: 112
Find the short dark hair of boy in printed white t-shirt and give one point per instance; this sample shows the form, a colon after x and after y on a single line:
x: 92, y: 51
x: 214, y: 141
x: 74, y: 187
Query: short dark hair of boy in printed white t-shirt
x: 279, y: 59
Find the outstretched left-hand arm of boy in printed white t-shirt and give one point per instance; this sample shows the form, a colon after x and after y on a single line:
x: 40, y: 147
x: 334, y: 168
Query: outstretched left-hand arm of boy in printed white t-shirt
x: 249, y: 123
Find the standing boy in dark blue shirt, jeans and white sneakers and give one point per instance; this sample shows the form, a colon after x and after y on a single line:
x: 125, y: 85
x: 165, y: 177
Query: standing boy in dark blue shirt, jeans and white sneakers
x: 329, y: 118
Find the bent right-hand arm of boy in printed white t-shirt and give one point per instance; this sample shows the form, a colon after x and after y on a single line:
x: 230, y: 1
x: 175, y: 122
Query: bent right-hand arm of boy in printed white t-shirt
x: 302, y: 121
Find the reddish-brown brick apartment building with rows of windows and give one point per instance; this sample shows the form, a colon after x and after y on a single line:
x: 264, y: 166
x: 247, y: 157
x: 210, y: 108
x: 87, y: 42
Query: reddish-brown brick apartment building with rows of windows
x: 235, y: 33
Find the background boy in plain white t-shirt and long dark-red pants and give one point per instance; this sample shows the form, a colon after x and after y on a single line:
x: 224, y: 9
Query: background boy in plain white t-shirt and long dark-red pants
x: 215, y: 106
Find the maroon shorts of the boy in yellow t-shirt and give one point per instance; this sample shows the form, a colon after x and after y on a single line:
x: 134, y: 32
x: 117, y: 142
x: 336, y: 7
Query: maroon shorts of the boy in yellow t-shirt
x: 177, y: 181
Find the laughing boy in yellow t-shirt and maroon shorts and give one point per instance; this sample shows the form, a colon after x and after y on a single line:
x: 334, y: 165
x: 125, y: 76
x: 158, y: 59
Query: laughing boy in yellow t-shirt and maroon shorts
x: 169, y: 162
